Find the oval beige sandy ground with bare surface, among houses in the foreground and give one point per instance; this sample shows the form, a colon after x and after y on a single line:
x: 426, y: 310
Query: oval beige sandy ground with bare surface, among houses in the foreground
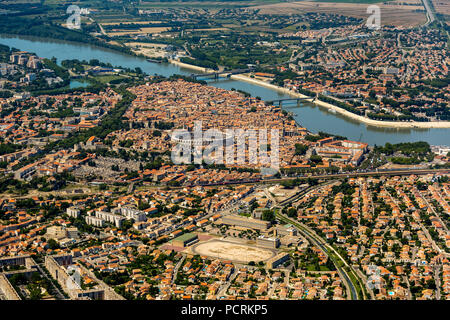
x: 232, y: 251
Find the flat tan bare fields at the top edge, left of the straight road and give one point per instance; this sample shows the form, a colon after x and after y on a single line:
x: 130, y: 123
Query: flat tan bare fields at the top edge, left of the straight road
x: 398, y: 13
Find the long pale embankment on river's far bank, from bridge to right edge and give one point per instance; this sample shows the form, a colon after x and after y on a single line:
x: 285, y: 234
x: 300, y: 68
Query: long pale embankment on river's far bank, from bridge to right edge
x: 368, y: 121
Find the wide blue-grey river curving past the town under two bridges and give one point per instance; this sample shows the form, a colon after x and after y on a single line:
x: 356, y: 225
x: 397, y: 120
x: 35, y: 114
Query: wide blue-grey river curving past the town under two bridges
x: 312, y: 117
